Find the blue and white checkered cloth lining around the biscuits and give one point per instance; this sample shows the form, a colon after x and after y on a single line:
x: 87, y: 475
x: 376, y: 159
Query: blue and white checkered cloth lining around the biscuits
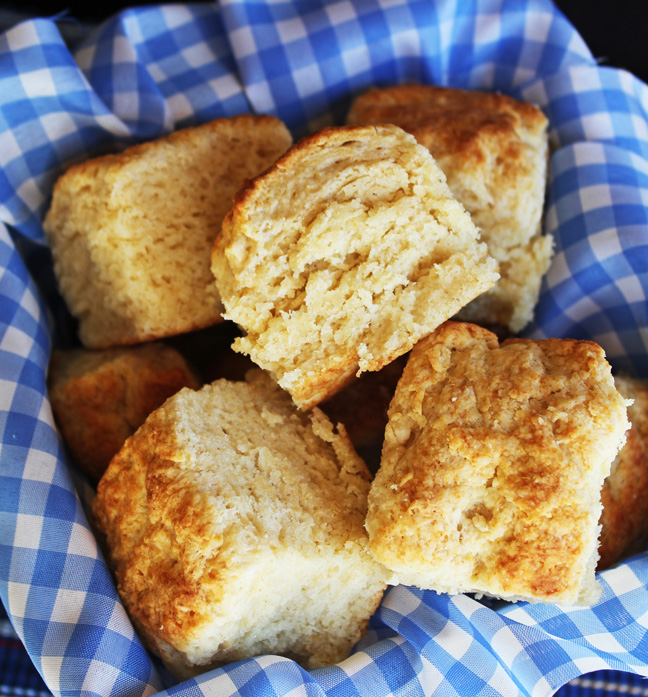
x: 151, y: 70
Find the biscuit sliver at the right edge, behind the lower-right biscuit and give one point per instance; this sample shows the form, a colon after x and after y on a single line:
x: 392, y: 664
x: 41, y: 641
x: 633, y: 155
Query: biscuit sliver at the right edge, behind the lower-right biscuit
x: 624, y: 520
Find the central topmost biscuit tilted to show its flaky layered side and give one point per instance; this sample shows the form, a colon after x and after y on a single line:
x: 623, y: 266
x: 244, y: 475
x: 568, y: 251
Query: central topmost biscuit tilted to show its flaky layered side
x: 343, y: 255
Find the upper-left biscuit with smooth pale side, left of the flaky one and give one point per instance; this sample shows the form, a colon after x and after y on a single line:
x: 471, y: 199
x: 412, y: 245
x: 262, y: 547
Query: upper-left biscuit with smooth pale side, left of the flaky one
x: 131, y: 233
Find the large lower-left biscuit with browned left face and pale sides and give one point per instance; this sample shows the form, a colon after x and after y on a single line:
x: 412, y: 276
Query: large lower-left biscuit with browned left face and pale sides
x: 235, y: 526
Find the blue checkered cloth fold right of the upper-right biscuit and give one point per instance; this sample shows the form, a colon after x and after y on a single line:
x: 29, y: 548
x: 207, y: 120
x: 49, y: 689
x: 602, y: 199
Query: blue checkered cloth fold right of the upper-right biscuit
x: 598, y: 211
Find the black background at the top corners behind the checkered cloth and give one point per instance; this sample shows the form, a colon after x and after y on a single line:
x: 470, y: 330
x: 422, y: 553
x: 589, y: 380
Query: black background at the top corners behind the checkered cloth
x: 615, y: 30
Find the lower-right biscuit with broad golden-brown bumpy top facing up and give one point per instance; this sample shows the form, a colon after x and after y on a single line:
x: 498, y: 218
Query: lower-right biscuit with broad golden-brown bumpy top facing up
x: 493, y: 463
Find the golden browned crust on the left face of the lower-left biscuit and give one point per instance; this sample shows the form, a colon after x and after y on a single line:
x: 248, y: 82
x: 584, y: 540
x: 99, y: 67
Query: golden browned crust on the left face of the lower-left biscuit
x: 130, y: 505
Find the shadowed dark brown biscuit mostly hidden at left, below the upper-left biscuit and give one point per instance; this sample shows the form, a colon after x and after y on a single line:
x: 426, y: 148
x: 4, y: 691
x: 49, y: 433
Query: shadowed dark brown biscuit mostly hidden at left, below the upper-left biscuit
x: 100, y: 398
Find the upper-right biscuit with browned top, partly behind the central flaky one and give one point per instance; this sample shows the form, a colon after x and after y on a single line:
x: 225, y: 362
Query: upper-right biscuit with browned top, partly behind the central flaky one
x: 493, y: 150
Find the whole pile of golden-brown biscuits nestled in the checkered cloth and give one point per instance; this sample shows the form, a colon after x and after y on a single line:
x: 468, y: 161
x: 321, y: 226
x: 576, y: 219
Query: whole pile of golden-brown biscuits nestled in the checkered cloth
x: 375, y: 276
